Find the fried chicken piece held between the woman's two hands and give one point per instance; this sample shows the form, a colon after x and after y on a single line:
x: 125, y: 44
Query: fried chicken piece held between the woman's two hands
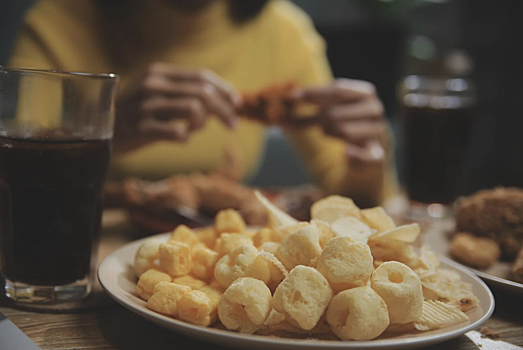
x: 272, y: 105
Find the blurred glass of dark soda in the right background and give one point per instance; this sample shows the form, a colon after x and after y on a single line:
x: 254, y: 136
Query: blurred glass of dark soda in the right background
x: 435, y: 122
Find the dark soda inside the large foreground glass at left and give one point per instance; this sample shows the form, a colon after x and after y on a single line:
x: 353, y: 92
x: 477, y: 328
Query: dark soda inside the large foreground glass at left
x: 50, y: 208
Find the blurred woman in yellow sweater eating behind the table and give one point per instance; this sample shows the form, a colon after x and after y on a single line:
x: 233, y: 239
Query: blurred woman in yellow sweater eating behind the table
x: 191, y: 60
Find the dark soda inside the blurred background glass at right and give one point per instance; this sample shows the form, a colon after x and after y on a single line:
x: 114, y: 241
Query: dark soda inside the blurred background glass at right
x: 435, y: 144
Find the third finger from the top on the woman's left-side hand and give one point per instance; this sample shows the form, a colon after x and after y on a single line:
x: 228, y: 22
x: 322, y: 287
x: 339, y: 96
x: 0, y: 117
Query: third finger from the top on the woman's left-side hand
x: 166, y: 108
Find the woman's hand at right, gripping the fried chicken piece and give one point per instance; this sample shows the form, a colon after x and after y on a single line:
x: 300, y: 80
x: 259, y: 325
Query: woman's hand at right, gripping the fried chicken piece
x: 351, y: 110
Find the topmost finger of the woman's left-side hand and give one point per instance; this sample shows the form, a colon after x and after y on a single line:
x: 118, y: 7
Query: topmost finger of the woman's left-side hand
x: 196, y: 75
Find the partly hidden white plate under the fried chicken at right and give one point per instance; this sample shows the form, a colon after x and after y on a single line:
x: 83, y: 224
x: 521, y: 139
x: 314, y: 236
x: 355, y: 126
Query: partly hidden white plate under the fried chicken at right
x: 497, y: 276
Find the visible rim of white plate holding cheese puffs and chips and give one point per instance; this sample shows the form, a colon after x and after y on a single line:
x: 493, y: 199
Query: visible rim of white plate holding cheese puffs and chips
x: 117, y: 278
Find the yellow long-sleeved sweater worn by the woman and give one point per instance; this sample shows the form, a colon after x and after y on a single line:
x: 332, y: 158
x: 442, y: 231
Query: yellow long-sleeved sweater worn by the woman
x: 278, y: 45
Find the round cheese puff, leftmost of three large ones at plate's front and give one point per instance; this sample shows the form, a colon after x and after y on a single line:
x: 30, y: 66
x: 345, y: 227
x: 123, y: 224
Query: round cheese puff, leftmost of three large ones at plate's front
x: 245, y: 305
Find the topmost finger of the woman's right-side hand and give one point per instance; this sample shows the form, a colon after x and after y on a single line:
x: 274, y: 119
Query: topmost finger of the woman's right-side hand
x: 342, y: 90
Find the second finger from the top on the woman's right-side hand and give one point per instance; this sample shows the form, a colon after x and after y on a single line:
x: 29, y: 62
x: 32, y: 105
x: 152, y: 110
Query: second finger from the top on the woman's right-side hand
x: 367, y: 109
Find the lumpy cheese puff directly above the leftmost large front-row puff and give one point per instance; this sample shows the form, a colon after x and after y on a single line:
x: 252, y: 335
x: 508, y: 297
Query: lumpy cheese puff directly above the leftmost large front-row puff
x: 243, y: 261
